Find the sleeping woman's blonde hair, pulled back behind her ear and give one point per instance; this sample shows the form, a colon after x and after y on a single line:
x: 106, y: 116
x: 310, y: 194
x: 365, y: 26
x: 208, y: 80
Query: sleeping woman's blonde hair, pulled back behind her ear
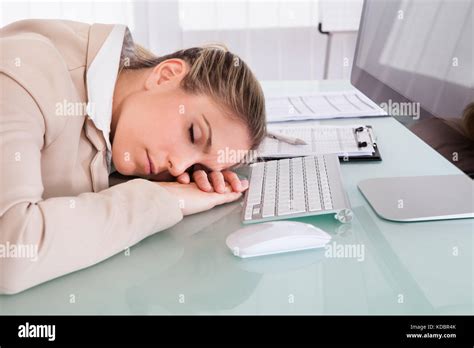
x: 219, y: 74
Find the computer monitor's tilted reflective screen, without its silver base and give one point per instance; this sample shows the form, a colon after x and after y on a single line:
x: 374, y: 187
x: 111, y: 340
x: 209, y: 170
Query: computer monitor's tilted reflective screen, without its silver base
x: 415, y: 59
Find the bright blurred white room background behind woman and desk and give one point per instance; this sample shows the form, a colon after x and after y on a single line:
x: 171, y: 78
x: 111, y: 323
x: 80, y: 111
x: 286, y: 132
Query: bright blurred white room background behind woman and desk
x: 280, y: 40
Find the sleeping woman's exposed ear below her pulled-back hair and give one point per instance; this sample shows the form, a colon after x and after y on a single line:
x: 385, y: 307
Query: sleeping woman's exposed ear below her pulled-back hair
x: 170, y: 71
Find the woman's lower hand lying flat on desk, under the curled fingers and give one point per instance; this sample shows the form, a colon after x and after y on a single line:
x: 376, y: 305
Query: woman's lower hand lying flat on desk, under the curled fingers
x: 193, y: 200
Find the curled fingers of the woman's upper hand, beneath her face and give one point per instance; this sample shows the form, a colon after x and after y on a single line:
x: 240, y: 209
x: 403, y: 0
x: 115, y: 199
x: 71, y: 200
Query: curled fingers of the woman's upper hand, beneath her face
x: 214, y: 181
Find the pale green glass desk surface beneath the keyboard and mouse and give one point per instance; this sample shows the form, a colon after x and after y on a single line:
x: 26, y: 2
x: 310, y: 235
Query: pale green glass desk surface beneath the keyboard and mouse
x: 406, y: 268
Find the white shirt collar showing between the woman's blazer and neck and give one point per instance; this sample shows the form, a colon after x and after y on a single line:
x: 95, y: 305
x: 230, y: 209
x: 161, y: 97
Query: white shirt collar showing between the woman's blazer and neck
x: 100, y: 79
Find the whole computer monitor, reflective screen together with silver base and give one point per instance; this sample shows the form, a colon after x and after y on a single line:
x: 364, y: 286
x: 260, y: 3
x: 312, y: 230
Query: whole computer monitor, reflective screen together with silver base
x: 415, y: 59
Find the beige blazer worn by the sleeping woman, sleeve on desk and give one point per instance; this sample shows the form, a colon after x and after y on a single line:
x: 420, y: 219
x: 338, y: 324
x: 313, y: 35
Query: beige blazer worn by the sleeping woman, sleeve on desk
x: 55, y: 194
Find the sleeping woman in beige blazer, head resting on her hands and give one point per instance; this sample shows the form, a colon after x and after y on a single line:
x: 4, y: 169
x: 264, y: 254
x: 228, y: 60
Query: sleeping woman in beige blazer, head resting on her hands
x: 103, y: 143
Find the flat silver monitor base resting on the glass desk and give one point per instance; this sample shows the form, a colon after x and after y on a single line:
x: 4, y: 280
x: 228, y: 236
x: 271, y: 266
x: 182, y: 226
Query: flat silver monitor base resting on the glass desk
x: 420, y: 198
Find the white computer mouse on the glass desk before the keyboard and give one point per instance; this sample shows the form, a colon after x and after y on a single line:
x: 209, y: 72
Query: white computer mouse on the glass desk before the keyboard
x: 275, y: 237
